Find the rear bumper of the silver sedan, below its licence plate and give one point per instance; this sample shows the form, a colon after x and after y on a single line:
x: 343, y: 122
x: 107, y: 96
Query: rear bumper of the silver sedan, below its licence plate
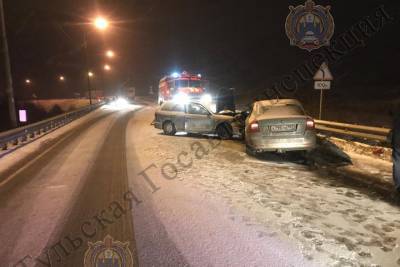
x: 261, y: 143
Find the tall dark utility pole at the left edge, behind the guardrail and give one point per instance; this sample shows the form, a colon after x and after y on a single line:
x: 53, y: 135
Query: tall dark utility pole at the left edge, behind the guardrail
x: 7, y: 66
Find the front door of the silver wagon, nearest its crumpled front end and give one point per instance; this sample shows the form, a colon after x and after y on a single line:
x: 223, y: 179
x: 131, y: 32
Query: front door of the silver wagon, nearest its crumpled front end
x: 198, y: 119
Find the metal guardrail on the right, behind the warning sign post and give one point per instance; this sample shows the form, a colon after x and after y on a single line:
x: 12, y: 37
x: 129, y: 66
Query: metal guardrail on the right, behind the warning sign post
x: 358, y: 131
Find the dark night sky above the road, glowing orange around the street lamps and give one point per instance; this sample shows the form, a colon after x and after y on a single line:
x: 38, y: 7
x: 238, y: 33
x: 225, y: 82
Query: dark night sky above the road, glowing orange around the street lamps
x: 239, y: 44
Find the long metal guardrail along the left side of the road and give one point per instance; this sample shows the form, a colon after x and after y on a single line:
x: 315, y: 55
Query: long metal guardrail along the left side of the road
x: 16, y: 136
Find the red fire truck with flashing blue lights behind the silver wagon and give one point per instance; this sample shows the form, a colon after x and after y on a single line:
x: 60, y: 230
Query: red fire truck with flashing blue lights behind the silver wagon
x: 189, y: 85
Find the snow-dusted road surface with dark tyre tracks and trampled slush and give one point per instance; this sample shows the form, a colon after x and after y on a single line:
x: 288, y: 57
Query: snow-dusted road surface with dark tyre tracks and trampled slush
x: 188, y: 201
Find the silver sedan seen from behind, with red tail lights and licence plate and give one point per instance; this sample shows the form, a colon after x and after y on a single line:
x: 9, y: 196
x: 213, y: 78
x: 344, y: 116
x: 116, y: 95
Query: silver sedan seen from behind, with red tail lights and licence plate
x: 280, y: 126
